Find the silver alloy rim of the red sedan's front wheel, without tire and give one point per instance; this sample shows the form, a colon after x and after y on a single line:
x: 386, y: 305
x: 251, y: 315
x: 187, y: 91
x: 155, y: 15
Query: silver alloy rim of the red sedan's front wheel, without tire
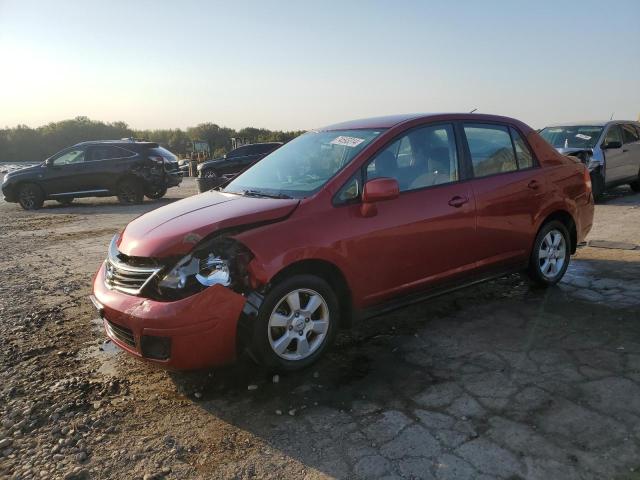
x: 298, y: 325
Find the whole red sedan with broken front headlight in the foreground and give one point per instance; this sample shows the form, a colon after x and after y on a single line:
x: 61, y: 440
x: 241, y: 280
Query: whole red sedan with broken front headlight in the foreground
x: 341, y: 224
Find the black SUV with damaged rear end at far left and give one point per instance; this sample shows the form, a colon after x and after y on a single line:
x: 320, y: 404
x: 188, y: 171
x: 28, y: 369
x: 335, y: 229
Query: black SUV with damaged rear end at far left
x: 128, y: 169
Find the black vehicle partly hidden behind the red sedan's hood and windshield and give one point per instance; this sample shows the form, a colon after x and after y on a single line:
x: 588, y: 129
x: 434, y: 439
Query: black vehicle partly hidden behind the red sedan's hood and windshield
x: 216, y: 172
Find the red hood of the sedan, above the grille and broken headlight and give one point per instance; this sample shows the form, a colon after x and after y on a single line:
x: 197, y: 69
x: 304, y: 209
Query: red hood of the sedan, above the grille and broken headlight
x: 176, y: 228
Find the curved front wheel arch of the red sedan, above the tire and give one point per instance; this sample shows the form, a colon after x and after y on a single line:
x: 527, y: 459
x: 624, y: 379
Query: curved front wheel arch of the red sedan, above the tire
x: 329, y: 272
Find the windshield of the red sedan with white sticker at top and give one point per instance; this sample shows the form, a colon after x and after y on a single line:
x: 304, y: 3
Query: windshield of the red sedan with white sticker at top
x: 304, y: 165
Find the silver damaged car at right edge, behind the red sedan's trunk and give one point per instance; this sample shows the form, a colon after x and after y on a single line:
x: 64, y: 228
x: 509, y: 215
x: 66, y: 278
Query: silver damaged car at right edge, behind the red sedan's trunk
x: 611, y: 150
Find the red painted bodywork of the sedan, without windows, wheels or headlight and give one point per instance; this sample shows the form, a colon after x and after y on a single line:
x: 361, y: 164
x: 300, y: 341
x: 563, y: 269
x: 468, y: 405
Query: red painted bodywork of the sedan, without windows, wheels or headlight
x: 410, y: 243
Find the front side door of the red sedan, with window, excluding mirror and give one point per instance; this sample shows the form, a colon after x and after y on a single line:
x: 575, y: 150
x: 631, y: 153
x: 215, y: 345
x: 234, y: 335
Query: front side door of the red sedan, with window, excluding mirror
x: 424, y: 236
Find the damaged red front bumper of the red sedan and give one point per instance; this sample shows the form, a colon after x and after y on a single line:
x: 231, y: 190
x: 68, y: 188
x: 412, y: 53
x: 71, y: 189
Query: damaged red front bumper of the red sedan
x: 195, y: 332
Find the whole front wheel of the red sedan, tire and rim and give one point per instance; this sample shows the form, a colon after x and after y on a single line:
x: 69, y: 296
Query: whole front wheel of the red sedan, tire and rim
x: 296, y: 323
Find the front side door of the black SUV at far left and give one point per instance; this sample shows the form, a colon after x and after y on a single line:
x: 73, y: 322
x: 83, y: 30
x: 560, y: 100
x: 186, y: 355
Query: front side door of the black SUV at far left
x: 64, y: 174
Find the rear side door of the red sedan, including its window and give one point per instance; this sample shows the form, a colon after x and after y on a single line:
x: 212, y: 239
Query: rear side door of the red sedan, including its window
x: 509, y: 188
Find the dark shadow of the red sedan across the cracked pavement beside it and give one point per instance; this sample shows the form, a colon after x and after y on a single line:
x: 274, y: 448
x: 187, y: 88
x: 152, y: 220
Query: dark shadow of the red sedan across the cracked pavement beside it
x: 487, y: 361
